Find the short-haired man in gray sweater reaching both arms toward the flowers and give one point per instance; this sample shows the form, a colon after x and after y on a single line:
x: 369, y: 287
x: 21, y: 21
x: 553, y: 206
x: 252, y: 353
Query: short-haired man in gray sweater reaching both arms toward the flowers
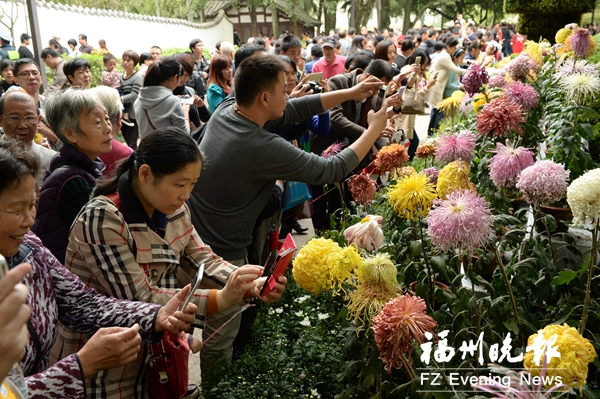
x: 243, y: 162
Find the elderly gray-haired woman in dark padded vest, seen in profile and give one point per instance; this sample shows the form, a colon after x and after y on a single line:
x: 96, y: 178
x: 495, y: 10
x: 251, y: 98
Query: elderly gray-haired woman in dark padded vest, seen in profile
x: 81, y: 122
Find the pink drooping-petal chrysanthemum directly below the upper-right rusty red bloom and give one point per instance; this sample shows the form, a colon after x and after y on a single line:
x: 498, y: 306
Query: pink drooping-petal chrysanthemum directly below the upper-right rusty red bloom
x: 508, y: 162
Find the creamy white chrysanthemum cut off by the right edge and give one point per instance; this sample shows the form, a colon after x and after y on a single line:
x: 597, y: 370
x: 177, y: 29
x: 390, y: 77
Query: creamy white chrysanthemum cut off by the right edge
x: 583, y: 196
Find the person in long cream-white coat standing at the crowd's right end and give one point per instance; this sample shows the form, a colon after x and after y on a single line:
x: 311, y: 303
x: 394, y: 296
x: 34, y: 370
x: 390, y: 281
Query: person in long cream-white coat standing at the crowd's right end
x: 442, y: 66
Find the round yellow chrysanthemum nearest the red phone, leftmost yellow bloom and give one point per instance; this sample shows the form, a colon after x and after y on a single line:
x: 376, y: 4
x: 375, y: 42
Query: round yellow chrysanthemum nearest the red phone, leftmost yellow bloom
x: 311, y: 270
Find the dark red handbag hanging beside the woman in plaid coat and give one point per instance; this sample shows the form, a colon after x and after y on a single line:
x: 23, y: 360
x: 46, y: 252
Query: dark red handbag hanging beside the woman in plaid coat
x: 168, y: 369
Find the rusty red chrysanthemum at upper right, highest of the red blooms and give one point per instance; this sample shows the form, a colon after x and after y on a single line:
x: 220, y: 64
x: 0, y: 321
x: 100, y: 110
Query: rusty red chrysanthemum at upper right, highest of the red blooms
x: 499, y: 117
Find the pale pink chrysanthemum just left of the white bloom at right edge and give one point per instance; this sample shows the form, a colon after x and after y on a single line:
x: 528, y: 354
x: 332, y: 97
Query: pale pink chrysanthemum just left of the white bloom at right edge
x: 543, y: 182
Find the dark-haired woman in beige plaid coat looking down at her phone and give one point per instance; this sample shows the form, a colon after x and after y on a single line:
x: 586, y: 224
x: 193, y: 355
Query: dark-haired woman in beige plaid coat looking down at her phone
x: 135, y: 240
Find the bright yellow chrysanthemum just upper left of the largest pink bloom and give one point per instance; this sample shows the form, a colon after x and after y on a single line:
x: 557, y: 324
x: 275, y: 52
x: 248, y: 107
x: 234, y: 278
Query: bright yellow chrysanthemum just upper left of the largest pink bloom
x: 412, y: 196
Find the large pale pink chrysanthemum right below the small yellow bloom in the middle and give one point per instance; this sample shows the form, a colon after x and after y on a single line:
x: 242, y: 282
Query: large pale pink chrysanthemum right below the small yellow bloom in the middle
x: 462, y: 221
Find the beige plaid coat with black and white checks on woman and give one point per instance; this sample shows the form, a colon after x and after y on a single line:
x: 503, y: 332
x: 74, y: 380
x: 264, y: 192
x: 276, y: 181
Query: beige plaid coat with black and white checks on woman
x: 117, y: 254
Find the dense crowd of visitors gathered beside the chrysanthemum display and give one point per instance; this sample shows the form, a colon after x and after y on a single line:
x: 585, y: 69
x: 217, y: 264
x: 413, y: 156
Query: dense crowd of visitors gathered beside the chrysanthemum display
x: 103, y: 237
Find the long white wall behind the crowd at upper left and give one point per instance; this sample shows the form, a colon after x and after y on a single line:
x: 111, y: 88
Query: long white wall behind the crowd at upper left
x: 122, y: 31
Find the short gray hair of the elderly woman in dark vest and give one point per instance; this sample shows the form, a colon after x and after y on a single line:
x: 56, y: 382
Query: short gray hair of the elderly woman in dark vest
x: 64, y: 108
